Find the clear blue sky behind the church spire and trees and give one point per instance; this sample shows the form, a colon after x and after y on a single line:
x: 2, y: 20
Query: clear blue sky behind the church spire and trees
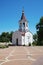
x: 11, y: 11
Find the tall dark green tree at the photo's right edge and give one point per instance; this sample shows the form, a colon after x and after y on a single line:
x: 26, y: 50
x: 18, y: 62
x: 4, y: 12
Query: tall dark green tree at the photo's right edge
x: 39, y: 28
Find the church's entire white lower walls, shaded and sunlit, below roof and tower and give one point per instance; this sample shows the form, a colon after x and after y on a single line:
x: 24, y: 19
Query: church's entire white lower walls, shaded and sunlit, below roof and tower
x: 28, y: 38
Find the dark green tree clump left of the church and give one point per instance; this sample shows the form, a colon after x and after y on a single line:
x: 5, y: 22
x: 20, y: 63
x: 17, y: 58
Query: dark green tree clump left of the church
x: 6, y: 37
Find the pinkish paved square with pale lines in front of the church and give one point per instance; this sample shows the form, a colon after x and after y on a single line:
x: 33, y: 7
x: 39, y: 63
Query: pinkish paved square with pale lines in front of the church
x: 21, y: 55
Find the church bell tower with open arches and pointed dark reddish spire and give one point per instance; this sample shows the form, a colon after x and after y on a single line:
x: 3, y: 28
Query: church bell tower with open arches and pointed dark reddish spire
x: 23, y: 23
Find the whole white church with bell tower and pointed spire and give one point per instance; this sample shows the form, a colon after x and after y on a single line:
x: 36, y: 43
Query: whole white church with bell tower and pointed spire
x: 22, y: 36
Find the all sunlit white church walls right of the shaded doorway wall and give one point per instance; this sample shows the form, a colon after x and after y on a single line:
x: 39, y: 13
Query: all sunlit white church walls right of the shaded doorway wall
x: 28, y: 38
